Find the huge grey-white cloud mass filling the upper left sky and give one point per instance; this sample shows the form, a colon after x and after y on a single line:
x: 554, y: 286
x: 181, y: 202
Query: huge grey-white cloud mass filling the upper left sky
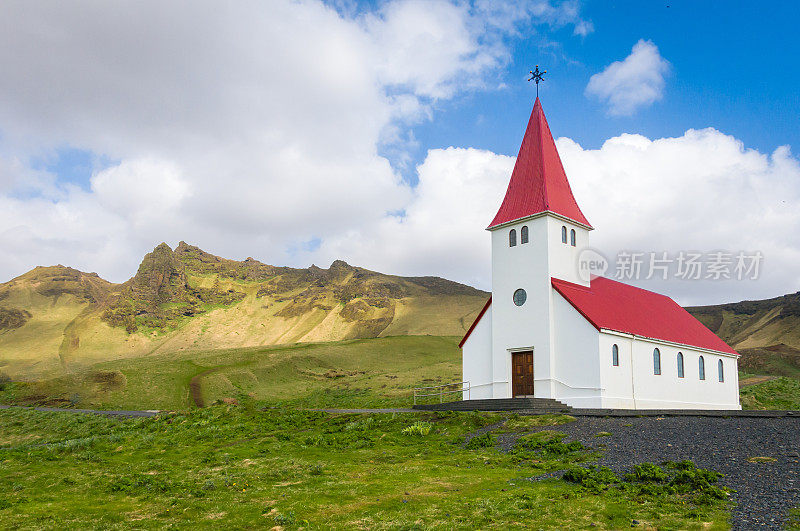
x: 246, y: 127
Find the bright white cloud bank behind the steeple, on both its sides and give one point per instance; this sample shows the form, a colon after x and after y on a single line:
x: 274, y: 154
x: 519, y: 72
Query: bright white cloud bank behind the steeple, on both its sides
x: 702, y: 191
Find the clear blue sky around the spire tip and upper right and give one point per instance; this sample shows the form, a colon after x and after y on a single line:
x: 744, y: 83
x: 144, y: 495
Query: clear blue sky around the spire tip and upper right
x: 735, y: 66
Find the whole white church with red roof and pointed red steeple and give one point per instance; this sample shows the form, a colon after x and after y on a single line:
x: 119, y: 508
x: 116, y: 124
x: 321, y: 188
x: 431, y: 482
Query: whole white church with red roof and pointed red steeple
x: 548, y: 333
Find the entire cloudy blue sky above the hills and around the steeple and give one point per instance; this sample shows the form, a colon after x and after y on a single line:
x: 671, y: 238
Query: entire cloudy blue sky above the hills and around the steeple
x: 384, y: 133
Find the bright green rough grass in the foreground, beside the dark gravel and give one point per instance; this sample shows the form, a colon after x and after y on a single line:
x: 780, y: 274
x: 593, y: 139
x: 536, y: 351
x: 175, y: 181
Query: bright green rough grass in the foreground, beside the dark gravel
x: 237, y: 466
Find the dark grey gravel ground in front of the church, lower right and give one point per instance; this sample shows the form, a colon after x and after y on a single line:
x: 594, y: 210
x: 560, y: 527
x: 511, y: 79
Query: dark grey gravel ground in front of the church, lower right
x: 765, y: 491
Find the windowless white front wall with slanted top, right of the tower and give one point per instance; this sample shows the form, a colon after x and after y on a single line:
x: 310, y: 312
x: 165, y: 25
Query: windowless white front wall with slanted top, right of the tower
x: 576, y: 378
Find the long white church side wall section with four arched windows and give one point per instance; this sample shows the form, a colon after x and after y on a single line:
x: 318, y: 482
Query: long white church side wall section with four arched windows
x: 668, y: 391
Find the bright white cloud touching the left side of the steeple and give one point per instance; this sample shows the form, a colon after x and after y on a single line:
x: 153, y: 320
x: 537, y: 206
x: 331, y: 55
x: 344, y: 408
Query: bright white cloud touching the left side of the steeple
x: 443, y: 230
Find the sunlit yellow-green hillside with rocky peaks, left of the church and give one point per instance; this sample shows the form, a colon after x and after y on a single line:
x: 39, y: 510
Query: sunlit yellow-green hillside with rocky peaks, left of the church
x: 60, y: 322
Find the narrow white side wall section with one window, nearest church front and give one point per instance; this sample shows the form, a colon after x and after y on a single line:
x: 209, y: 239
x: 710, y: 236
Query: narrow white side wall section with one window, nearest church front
x: 617, y: 381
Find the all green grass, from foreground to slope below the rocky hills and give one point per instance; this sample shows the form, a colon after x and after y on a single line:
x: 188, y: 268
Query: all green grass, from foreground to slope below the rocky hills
x: 245, y: 466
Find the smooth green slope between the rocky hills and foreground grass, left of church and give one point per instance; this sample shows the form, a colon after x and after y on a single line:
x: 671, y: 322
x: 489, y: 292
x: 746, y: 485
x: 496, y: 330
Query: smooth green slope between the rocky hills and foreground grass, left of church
x: 355, y: 373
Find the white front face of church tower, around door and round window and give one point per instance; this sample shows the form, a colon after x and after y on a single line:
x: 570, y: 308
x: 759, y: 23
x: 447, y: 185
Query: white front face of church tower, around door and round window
x: 524, y: 266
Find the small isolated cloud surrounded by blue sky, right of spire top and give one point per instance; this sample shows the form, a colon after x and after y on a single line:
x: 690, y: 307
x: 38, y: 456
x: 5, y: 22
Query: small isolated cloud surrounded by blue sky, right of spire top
x: 635, y: 82
